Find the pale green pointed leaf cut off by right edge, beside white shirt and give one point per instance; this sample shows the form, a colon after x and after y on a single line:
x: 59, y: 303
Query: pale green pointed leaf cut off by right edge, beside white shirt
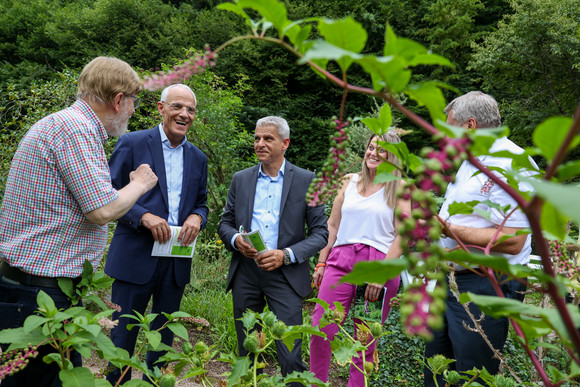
x: 563, y: 197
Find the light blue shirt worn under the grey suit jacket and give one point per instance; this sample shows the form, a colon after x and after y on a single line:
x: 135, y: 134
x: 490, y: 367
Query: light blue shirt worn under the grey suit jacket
x: 266, y: 213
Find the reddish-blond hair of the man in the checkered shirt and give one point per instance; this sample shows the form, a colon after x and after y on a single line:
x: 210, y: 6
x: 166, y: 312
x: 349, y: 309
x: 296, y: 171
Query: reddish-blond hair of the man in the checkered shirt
x: 104, y: 77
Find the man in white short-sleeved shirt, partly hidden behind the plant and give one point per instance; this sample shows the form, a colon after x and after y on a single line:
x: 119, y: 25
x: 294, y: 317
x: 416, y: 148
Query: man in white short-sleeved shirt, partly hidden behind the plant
x: 476, y: 110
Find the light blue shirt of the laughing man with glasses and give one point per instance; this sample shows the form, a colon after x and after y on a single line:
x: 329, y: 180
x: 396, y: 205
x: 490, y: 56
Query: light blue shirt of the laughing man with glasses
x: 173, y: 158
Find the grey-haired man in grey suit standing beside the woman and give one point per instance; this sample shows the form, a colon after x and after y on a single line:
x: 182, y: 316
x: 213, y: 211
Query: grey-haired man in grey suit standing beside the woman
x: 271, y: 197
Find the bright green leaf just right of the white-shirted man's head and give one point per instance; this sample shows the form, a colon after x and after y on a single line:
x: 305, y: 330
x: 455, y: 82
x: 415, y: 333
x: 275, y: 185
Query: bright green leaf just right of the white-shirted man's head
x: 550, y: 134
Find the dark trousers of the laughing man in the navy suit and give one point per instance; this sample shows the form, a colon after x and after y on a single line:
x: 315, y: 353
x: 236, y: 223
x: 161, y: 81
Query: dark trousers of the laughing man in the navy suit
x: 166, y: 298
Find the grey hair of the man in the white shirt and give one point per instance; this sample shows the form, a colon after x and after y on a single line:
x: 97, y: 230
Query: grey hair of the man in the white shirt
x: 477, y: 105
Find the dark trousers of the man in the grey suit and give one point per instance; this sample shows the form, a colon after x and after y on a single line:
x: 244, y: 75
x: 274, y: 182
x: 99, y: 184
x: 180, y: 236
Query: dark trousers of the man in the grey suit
x: 252, y: 288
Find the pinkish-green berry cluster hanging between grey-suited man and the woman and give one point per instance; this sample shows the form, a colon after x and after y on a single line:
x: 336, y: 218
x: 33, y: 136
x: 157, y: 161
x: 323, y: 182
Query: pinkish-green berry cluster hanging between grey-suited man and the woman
x: 325, y: 186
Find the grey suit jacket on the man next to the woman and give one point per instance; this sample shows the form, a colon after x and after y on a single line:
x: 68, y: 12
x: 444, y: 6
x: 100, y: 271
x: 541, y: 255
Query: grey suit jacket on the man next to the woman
x: 295, y: 214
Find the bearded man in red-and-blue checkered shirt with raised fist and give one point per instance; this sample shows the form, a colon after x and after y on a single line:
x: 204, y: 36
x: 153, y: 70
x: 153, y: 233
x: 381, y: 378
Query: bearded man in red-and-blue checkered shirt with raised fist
x: 59, y: 199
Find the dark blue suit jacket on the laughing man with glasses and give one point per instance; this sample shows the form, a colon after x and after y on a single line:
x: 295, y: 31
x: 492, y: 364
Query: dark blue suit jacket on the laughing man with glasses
x: 129, y: 258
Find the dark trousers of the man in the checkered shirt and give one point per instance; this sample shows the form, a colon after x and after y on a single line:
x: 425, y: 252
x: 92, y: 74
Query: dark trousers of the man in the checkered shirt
x: 17, y: 302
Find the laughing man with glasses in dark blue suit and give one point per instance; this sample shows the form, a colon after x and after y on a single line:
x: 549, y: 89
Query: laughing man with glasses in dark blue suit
x: 179, y: 199
